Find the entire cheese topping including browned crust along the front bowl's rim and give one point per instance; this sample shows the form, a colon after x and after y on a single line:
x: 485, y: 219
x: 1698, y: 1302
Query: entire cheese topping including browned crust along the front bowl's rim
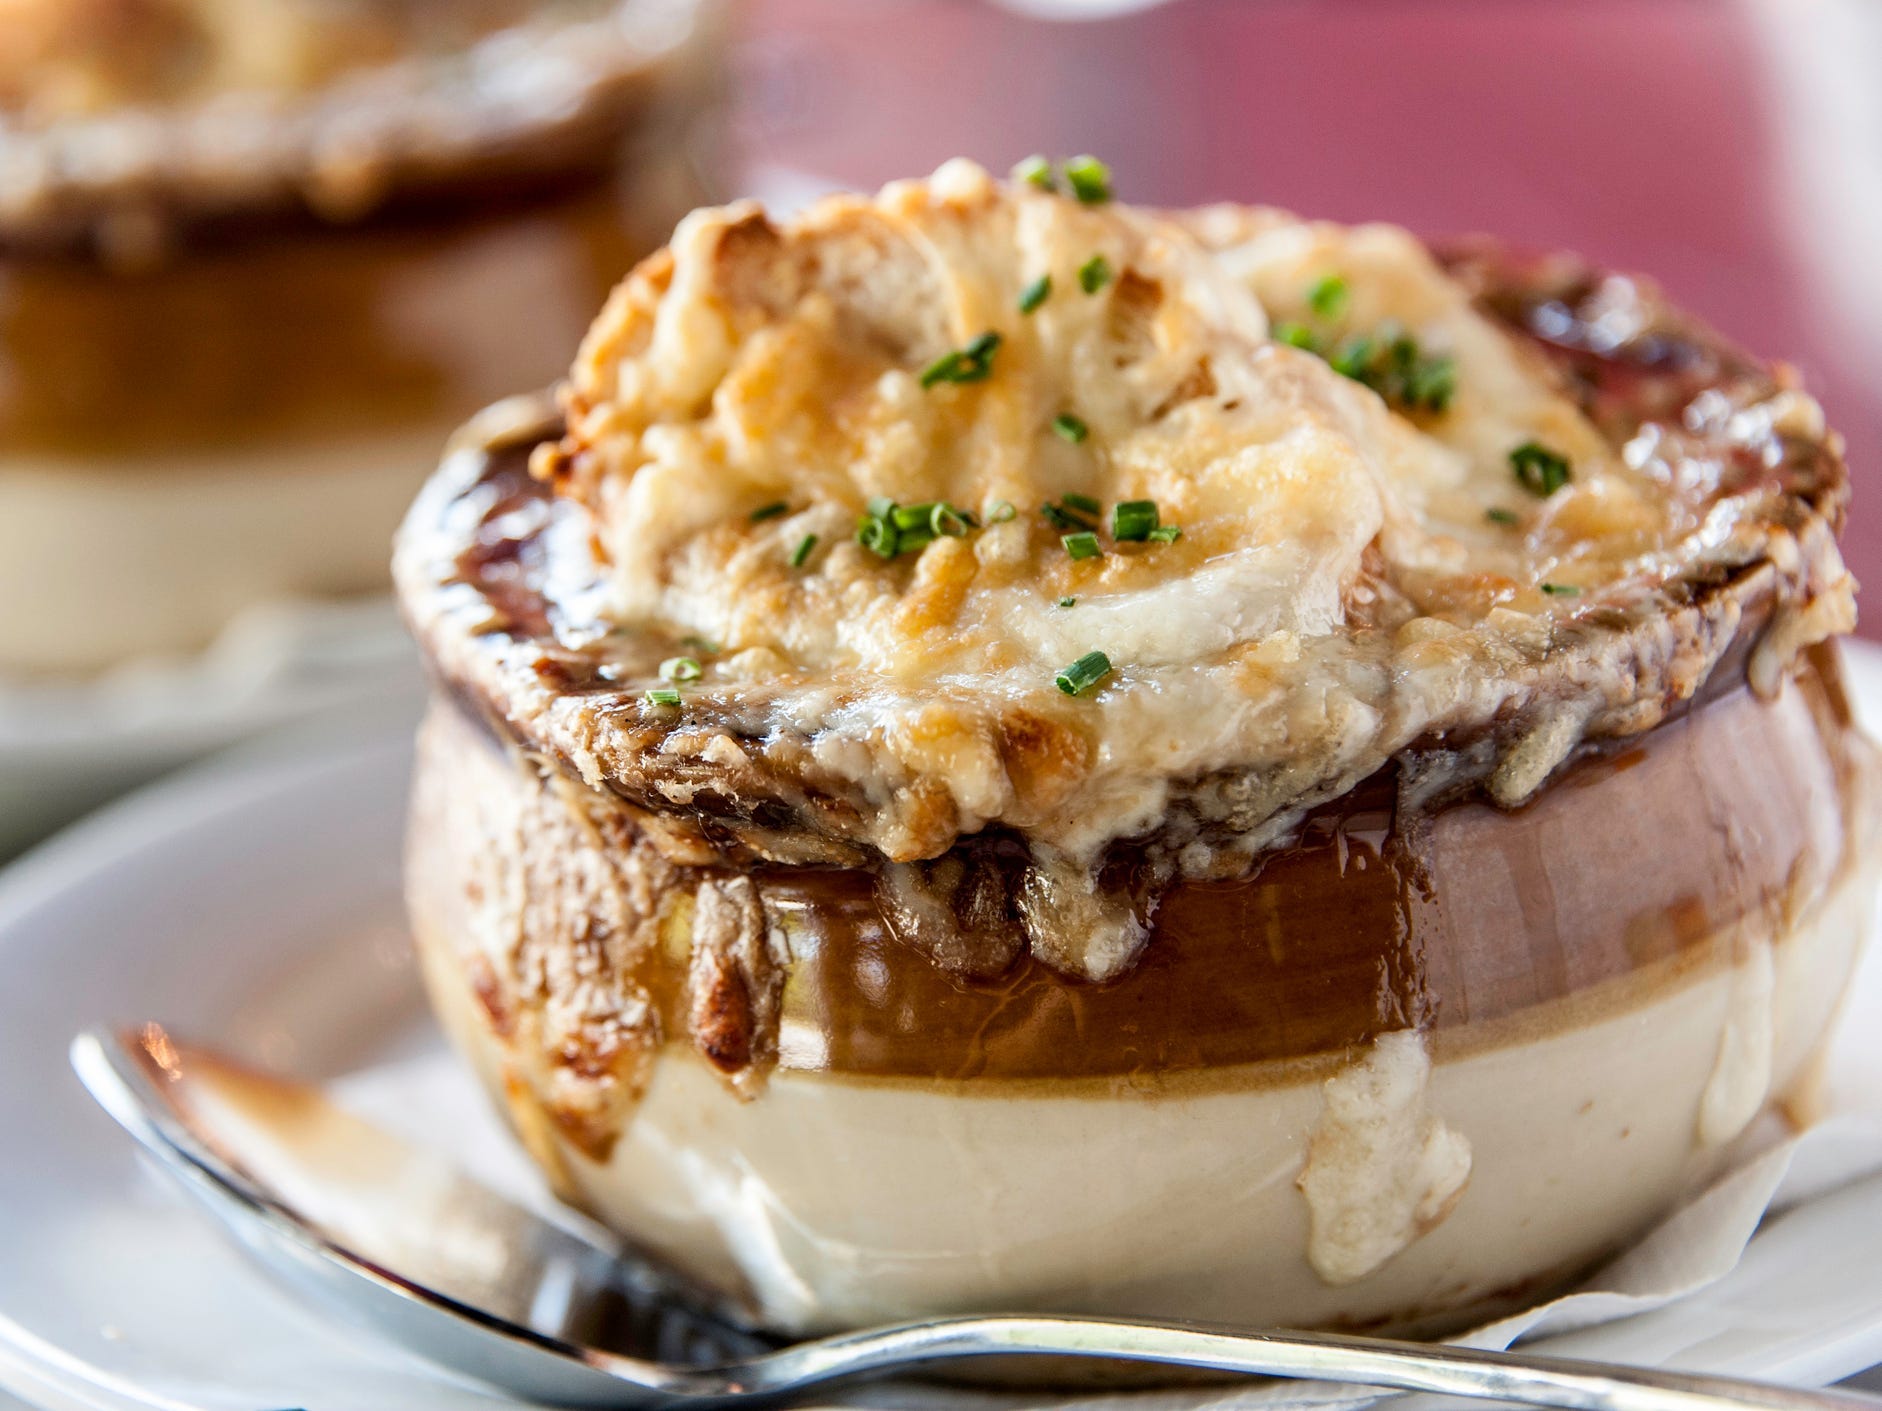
x: 1358, y: 579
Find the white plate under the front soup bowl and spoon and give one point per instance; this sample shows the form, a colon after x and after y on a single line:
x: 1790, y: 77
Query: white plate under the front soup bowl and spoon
x: 255, y: 904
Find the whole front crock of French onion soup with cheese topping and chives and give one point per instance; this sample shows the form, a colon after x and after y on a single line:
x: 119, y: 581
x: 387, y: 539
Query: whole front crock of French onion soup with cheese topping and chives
x: 1004, y: 752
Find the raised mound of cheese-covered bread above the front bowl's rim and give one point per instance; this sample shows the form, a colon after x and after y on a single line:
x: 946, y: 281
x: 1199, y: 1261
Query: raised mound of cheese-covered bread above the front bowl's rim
x: 765, y: 364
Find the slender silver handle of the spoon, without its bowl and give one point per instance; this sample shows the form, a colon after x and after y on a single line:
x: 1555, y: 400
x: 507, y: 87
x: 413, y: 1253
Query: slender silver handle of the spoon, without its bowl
x: 1315, y: 1357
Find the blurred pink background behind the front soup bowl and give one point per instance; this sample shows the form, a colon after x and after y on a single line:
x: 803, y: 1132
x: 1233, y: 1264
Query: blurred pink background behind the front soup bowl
x: 1729, y: 150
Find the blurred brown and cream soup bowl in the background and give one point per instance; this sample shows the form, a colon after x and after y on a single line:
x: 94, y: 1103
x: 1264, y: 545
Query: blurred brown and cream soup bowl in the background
x: 232, y: 311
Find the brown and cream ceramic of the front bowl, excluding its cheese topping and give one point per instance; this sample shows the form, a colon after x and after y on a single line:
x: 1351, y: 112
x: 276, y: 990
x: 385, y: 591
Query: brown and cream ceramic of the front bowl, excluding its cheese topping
x: 1424, y: 1056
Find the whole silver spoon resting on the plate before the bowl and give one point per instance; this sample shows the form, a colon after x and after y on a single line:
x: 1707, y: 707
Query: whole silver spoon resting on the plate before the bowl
x: 502, y: 1295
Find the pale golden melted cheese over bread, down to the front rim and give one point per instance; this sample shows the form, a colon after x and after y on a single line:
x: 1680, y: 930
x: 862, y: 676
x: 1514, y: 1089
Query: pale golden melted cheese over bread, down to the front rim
x: 1337, y: 588
